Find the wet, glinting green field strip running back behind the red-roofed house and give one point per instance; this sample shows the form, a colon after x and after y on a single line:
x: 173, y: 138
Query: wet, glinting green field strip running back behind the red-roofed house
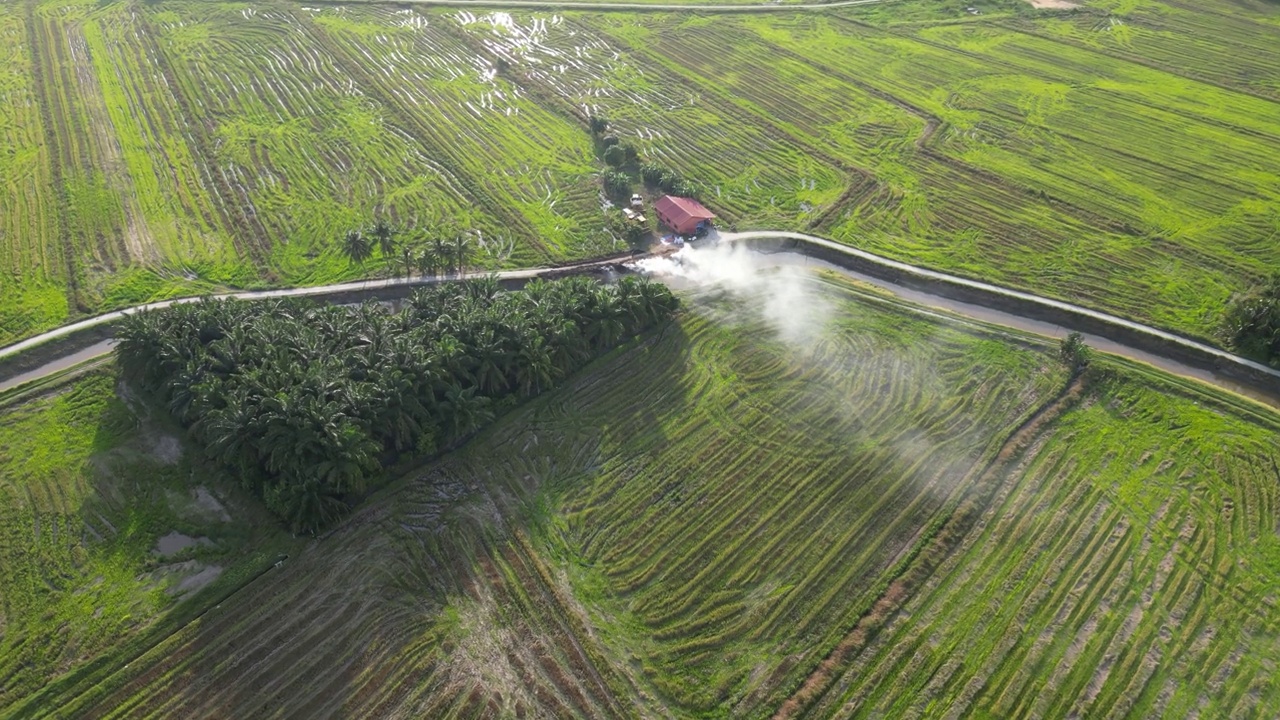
x: 746, y: 170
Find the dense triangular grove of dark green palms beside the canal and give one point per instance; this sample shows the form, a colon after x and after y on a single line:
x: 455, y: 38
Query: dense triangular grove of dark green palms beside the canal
x: 305, y: 404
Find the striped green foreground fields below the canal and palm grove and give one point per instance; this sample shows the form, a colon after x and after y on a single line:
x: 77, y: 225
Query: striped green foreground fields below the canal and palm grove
x: 899, y: 516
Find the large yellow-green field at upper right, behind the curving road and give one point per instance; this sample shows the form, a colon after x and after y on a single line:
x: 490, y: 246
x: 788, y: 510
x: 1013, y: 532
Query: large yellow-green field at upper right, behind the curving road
x: 1082, y: 176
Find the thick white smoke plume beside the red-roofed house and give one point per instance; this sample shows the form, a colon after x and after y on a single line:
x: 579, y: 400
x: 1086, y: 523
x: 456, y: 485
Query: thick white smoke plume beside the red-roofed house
x: 784, y: 295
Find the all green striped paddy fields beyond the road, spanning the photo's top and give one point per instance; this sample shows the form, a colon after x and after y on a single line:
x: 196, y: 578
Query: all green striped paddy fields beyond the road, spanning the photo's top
x: 1121, y: 154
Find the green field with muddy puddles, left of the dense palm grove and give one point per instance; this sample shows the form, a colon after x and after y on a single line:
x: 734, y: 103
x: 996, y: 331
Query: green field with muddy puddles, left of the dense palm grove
x: 88, y: 487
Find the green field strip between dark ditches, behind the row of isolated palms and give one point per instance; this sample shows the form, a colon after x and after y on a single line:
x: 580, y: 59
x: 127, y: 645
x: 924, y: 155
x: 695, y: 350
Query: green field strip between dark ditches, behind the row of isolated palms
x: 305, y: 148
